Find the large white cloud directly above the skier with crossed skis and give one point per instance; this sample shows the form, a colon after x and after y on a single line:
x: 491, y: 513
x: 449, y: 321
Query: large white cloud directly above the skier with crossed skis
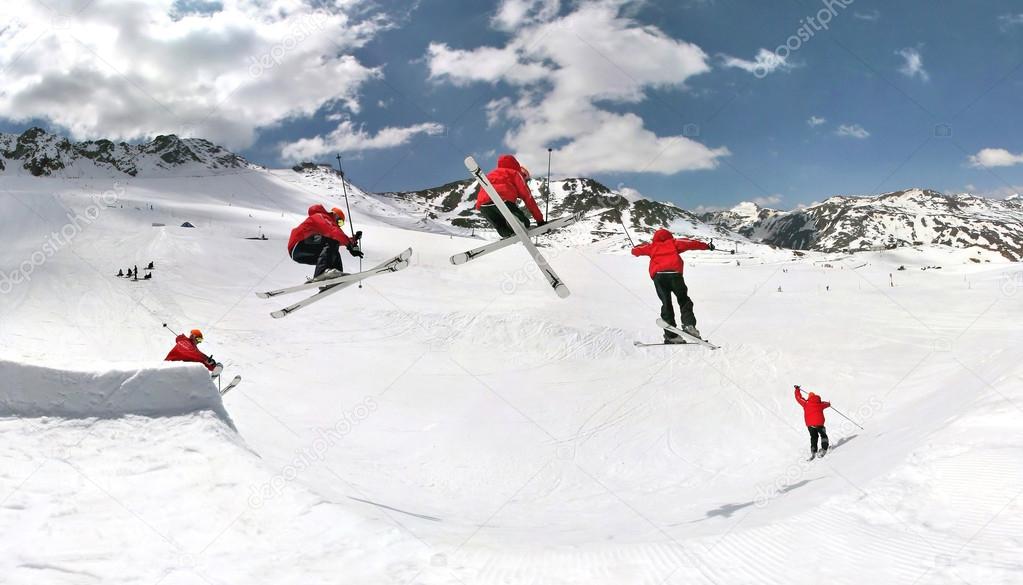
x: 562, y: 71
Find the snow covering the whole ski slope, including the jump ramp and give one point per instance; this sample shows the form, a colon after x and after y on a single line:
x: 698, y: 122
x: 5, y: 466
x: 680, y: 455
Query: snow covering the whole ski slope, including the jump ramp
x: 463, y: 425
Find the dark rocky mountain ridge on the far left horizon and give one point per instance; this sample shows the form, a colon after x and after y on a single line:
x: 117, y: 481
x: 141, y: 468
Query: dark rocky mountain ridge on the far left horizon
x: 40, y: 154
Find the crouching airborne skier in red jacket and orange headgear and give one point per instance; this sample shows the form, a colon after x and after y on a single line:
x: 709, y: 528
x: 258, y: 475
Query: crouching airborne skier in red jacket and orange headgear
x: 316, y: 242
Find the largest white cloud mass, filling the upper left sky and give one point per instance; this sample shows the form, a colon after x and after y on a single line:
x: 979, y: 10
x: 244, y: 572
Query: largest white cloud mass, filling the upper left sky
x: 127, y: 70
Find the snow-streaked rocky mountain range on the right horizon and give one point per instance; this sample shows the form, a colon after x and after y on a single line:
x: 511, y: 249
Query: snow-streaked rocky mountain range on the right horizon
x: 912, y: 217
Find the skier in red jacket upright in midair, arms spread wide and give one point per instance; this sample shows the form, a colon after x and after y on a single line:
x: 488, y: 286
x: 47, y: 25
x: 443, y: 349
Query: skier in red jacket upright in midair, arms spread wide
x: 666, y: 271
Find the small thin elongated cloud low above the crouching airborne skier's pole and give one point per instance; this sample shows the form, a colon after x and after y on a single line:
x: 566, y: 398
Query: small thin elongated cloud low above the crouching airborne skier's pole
x: 348, y: 139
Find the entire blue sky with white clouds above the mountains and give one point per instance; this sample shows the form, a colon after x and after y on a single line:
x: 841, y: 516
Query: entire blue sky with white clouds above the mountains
x: 669, y: 99
